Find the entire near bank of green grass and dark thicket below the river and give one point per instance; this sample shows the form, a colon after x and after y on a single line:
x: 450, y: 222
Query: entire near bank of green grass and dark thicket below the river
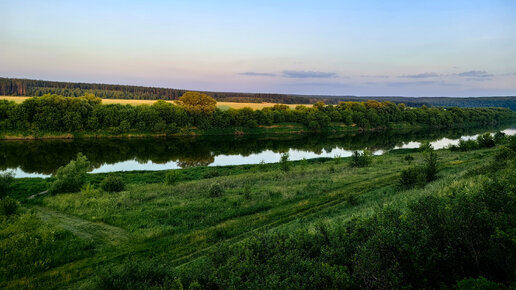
x: 322, y: 224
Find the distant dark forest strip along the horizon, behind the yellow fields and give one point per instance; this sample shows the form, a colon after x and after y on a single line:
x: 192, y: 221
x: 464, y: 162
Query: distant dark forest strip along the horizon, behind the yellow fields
x: 26, y: 87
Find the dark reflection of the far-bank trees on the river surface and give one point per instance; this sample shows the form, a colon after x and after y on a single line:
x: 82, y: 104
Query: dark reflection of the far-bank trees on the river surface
x: 45, y: 156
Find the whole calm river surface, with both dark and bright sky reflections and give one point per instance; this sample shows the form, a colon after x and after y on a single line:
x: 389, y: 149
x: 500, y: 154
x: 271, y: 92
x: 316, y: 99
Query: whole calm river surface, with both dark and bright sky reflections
x: 43, y: 157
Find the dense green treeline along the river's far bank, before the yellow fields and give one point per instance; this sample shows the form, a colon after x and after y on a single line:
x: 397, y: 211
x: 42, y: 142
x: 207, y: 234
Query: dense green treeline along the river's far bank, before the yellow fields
x: 53, y: 113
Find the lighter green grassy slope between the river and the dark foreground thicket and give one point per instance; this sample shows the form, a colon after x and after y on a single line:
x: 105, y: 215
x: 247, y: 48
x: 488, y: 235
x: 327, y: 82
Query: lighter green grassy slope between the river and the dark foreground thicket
x: 178, y: 225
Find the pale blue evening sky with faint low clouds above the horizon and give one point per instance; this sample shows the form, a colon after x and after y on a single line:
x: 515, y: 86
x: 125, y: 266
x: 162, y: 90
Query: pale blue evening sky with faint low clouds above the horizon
x: 410, y: 48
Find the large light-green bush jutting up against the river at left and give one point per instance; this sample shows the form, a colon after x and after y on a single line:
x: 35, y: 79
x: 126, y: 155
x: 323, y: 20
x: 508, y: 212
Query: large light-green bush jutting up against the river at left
x: 71, y: 177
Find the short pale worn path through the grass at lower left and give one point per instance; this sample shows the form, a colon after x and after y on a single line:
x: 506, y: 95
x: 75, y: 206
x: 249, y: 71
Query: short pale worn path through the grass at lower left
x: 84, y: 229
